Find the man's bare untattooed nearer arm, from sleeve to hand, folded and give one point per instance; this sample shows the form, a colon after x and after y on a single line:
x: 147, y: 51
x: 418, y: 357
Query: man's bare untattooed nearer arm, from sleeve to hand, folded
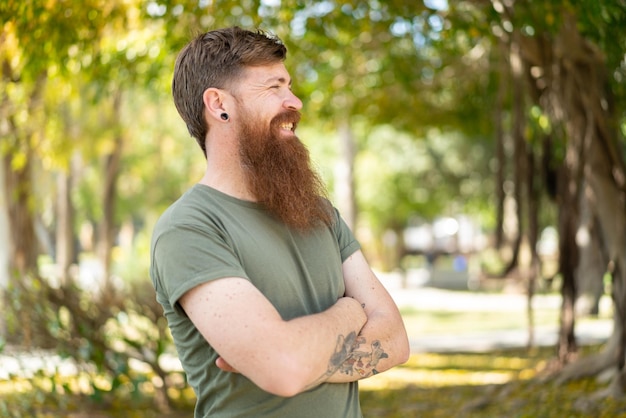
x: 281, y: 357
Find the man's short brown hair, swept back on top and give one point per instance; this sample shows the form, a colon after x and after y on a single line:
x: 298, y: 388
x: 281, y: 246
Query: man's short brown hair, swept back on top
x: 217, y: 59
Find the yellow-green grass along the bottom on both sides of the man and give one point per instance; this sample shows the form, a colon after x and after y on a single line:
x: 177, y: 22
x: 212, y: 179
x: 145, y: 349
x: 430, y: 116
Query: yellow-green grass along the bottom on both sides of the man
x: 473, y: 385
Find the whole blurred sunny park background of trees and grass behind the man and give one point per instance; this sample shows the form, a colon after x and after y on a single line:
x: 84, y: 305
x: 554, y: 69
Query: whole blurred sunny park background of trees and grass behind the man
x: 476, y: 147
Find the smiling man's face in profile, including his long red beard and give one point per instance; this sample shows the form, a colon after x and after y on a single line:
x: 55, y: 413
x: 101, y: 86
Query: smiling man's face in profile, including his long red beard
x: 275, y: 162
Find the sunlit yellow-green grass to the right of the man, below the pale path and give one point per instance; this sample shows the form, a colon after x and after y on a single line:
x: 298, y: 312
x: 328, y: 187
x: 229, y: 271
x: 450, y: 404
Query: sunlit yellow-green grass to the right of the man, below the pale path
x: 482, y: 385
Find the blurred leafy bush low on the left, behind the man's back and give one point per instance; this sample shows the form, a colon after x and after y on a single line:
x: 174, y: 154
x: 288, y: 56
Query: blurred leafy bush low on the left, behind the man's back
x: 112, y: 341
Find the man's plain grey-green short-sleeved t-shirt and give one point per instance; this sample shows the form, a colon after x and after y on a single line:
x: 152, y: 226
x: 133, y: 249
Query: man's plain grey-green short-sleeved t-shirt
x: 207, y: 235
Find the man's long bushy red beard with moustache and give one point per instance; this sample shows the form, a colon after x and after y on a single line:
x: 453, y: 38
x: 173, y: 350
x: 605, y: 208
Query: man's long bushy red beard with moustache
x: 279, y: 173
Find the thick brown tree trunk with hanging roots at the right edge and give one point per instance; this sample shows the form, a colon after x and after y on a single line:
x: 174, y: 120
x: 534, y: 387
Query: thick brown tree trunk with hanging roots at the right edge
x: 571, y: 57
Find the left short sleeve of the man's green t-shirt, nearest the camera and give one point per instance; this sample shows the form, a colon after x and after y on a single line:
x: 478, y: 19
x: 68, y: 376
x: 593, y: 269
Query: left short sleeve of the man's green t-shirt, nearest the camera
x: 186, y: 256
